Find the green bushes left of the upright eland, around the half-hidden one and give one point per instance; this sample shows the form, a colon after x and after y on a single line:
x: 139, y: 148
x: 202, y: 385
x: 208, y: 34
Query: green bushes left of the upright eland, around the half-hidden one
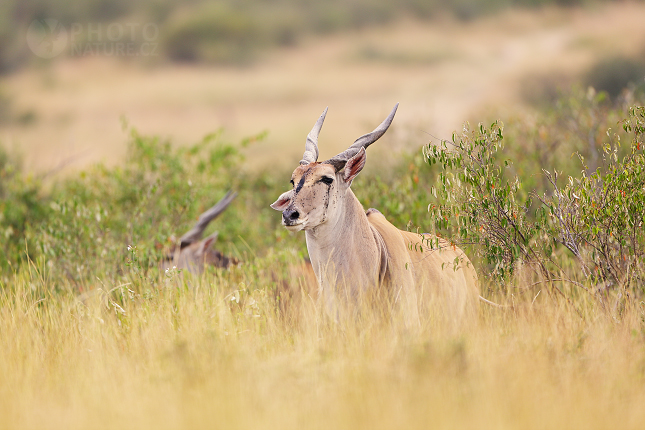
x: 83, y: 227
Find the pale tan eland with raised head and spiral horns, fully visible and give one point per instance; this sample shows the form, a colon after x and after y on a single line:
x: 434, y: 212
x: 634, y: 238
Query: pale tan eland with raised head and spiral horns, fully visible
x: 353, y: 251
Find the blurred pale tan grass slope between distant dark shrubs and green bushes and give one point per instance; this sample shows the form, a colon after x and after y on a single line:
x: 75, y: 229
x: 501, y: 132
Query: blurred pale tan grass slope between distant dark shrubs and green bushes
x: 442, y: 72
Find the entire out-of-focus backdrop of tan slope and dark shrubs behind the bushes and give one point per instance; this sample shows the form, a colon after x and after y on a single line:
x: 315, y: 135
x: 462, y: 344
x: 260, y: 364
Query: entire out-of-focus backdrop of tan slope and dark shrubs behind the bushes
x: 72, y: 72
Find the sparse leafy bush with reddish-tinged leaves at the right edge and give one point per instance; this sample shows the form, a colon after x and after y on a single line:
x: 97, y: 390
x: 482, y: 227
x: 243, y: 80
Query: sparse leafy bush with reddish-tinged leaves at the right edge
x: 599, y: 217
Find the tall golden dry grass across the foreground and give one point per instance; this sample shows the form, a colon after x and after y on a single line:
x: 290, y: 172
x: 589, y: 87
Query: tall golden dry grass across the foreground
x: 216, y: 355
